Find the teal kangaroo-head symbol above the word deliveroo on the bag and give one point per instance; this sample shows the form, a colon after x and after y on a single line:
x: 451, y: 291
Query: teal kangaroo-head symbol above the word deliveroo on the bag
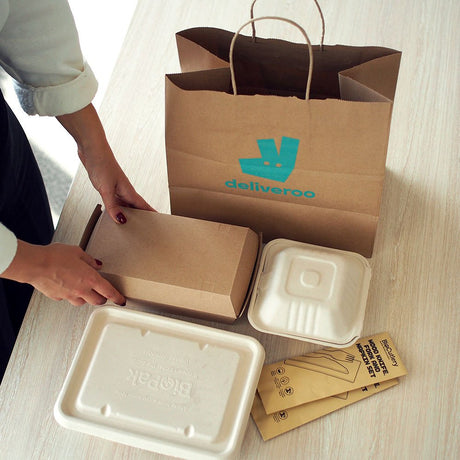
x: 272, y: 165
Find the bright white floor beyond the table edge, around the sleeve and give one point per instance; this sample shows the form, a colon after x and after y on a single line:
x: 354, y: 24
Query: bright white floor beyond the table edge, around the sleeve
x: 102, y: 26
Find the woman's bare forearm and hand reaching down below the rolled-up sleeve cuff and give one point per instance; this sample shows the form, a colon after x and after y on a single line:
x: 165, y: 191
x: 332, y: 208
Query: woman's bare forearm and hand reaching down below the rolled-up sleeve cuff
x: 99, y: 161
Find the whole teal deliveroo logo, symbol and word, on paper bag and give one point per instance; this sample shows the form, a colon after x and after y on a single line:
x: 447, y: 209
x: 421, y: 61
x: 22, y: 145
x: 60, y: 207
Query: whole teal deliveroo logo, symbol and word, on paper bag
x: 271, y: 165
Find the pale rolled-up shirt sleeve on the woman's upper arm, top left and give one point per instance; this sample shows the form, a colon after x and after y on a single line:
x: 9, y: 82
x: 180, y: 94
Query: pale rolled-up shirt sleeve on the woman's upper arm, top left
x: 39, y: 48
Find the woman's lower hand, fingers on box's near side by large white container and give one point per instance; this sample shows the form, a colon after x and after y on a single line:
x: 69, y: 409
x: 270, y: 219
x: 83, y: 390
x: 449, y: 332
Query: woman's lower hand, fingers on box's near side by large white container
x: 62, y: 272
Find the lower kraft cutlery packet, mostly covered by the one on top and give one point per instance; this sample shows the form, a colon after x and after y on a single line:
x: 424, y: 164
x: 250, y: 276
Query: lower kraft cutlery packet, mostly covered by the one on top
x: 280, y: 422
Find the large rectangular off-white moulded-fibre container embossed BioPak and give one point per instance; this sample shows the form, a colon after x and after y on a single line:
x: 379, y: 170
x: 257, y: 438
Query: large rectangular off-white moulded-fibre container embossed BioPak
x: 161, y: 384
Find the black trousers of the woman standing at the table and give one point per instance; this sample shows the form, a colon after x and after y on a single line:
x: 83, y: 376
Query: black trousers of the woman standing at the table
x: 25, y: 210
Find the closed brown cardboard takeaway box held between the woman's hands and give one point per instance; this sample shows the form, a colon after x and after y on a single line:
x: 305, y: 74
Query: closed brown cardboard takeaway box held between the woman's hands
x: 191, y: 266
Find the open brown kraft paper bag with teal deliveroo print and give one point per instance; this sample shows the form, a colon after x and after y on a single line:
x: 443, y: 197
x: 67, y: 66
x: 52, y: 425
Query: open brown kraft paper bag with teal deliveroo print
x: 265, y: 152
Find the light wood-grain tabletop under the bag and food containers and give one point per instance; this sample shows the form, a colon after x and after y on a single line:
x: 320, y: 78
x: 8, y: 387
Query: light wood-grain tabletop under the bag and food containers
x: 414, y: 291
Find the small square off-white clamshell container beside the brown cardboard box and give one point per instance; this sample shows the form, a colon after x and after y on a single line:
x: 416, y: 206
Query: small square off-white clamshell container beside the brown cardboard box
x: 310, y: 293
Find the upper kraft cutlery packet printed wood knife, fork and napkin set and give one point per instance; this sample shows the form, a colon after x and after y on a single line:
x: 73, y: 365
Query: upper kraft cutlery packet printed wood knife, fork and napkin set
x: 328, y: 372
